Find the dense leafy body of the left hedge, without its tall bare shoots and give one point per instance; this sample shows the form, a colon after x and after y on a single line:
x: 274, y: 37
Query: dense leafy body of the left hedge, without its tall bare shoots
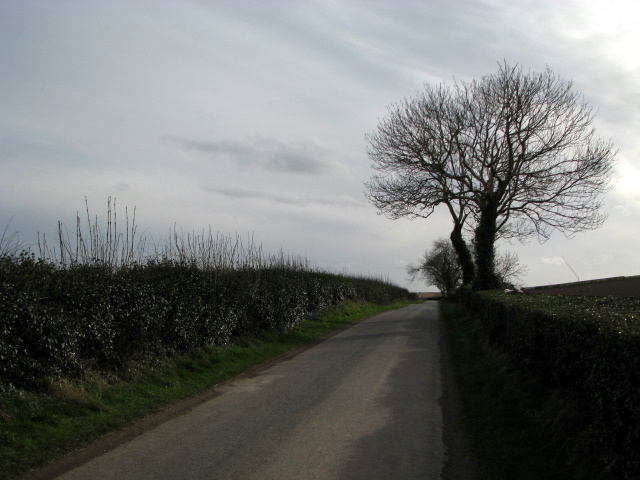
x: 57, y: 322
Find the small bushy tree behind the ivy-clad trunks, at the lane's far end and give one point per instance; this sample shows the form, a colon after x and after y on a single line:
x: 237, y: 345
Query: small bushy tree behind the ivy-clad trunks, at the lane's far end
x: 438, y: 267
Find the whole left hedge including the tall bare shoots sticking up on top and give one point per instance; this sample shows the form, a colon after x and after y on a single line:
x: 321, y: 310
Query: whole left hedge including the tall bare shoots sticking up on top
x: 107, y: 299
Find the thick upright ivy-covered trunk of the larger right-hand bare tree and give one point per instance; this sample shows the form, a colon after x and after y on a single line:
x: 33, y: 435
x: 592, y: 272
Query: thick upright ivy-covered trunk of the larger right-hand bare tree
x: 486, y: 278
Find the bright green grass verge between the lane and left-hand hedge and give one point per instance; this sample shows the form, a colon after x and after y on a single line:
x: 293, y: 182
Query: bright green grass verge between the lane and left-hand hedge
x: 36, y: 428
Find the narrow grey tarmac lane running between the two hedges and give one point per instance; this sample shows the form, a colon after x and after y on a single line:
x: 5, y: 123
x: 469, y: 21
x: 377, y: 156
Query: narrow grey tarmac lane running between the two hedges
x: 363, y: 404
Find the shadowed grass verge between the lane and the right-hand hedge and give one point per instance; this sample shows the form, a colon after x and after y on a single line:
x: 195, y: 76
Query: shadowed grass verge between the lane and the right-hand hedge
x: 516, y: 428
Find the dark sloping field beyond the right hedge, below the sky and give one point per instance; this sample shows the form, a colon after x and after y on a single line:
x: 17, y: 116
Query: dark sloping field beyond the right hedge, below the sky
x: 616, y: 287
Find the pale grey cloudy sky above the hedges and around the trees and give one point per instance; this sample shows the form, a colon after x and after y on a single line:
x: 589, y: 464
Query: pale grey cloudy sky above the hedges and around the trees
x: 249, y: 117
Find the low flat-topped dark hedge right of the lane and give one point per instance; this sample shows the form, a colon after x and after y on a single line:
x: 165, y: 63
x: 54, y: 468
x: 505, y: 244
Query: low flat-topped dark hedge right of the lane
x: 589, y: 345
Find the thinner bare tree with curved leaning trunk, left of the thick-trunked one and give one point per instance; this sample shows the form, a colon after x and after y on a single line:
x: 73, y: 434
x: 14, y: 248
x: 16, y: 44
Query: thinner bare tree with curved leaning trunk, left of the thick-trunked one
x: 414, y: 149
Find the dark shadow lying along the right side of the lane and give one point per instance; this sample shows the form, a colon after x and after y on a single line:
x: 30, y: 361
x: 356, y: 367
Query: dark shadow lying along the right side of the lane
x: 422, y: 412
